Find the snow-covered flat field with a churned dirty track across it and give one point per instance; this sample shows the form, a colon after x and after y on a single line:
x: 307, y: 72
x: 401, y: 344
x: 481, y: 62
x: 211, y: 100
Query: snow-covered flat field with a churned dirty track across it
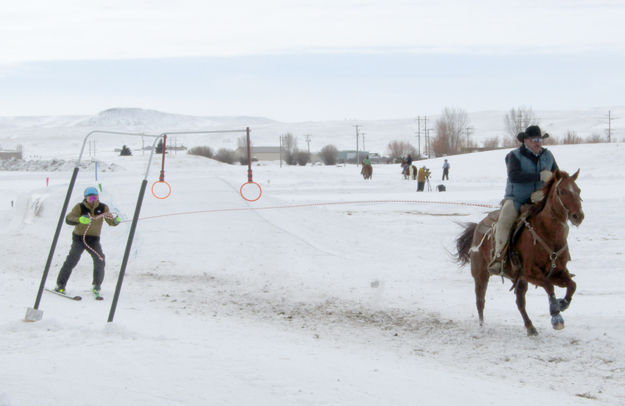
x: 320, y: 304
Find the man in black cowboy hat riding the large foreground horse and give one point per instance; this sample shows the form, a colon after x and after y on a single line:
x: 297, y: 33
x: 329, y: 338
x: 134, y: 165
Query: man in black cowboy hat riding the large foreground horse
x: 529, y: 167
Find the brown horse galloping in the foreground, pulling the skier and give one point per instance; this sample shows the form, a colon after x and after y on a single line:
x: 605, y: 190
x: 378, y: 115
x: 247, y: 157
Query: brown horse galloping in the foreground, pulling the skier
x: 538, y: 251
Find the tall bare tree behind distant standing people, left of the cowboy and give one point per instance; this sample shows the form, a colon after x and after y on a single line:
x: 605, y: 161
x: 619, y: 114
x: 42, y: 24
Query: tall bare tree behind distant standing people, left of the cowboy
x: 449, y: 130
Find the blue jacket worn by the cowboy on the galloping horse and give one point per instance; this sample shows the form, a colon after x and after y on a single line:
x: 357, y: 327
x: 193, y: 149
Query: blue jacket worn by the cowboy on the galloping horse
x: 524, y: 169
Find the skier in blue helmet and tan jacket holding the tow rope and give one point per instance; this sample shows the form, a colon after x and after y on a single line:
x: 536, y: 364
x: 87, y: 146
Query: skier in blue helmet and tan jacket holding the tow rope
x: 87, y: 218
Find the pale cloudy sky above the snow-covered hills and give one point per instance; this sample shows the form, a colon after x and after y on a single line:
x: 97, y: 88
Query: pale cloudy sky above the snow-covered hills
x: 305, y: 60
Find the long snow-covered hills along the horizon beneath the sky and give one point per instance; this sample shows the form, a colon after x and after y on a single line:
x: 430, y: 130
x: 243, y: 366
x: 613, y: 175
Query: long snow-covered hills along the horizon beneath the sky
x: 376, y: 134
